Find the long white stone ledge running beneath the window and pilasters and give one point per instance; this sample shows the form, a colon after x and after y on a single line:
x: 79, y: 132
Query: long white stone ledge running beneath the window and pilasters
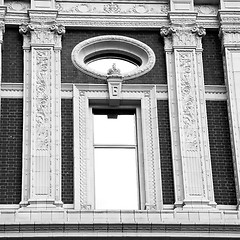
x: 45, y: 223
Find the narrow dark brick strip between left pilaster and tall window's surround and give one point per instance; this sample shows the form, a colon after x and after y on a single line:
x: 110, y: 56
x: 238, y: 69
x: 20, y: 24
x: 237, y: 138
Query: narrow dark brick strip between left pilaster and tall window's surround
x: 67, y: 151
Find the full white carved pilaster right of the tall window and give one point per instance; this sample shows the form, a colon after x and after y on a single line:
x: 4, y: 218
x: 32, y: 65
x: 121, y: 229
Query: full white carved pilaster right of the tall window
x: 188, y: 119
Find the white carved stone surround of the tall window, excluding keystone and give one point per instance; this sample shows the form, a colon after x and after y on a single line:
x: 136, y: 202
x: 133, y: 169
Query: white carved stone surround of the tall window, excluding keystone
x: 82, y: 155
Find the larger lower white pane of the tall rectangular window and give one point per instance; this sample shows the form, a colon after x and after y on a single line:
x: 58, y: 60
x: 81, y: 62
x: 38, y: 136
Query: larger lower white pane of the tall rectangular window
x: 116, y: 179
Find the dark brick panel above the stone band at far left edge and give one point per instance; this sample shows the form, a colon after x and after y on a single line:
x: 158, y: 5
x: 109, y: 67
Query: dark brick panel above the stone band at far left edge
x: 12, y: 56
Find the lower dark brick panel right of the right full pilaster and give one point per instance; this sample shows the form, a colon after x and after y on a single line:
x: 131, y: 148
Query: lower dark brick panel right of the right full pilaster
x: 221, y: 154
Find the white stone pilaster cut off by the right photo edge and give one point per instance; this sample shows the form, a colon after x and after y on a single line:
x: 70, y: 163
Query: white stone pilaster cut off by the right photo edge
x: 230, y: 35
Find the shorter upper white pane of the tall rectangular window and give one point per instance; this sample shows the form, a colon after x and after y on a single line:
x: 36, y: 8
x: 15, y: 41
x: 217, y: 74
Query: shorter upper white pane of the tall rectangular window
x: 114, y: 131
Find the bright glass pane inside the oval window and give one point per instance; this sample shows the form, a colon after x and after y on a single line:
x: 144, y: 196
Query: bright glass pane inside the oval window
x: 103, y: 65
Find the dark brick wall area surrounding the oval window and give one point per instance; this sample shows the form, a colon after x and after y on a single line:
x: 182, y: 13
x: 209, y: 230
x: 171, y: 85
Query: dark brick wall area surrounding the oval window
x: 152, y: 39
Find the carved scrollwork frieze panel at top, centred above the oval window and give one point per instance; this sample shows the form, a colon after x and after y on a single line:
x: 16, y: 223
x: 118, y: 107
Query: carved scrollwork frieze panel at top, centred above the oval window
x: 112, y: 8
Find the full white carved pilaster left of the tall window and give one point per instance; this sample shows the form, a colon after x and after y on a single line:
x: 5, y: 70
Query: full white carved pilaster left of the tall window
x: 42, y: 110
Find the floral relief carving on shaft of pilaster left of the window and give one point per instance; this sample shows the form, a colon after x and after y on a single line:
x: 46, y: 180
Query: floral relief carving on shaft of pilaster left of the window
x: 42, y: 98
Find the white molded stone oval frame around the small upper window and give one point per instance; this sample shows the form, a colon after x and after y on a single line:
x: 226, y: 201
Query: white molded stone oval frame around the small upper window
x: 113, y: 44
